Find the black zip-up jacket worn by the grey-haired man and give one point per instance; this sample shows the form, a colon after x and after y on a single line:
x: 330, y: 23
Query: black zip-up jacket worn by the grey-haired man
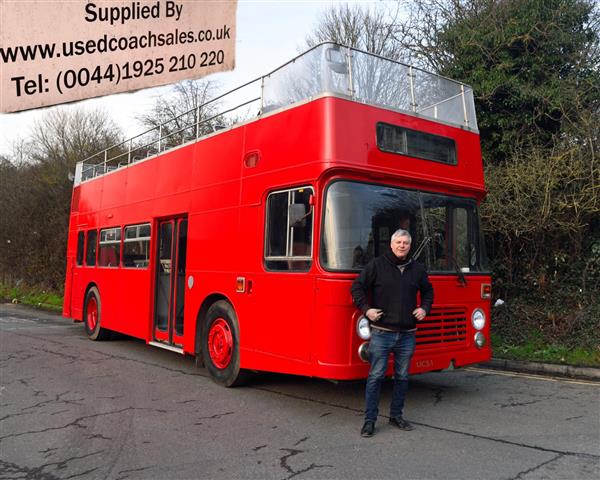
x: 393, y: 291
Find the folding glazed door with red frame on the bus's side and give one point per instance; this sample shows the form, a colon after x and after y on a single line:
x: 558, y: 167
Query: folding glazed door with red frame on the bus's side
x: 170, y: 281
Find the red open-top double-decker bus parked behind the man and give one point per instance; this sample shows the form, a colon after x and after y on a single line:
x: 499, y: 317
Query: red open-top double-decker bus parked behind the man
x: 235, y: 237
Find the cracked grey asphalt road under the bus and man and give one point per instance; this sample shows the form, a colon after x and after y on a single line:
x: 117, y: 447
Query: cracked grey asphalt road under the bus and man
x: 72, y: 408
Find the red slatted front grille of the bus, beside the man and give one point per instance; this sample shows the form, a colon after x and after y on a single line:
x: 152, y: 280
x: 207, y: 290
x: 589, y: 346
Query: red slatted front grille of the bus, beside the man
x: 444, y: 326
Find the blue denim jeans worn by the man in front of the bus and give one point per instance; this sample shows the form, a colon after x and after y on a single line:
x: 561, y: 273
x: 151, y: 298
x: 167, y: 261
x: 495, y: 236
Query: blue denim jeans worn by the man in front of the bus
x: 402, y: 345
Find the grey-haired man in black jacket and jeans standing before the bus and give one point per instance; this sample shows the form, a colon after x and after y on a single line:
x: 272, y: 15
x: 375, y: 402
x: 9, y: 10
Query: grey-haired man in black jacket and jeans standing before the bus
x: 392, y: 280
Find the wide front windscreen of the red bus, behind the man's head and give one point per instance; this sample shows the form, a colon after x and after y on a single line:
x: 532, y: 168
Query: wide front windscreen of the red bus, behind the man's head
x: 360, y: 218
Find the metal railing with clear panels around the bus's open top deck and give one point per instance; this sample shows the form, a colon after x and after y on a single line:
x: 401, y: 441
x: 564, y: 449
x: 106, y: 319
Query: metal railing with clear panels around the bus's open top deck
x: 326, y: 69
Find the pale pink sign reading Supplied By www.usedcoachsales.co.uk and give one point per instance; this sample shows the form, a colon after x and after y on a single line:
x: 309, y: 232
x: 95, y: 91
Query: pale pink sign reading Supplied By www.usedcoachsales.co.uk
x: 54, y: 52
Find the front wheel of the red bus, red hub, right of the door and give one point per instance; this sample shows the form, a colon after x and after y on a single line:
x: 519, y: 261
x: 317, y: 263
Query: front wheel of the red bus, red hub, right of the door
x: 221, y: 345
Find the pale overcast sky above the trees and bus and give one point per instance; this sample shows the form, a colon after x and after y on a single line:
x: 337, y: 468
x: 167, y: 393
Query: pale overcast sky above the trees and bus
x: 269, y: 33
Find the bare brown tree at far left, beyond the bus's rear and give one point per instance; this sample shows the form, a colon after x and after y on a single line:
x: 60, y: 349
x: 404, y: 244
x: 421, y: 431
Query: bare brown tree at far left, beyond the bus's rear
x: 35, y: 193
